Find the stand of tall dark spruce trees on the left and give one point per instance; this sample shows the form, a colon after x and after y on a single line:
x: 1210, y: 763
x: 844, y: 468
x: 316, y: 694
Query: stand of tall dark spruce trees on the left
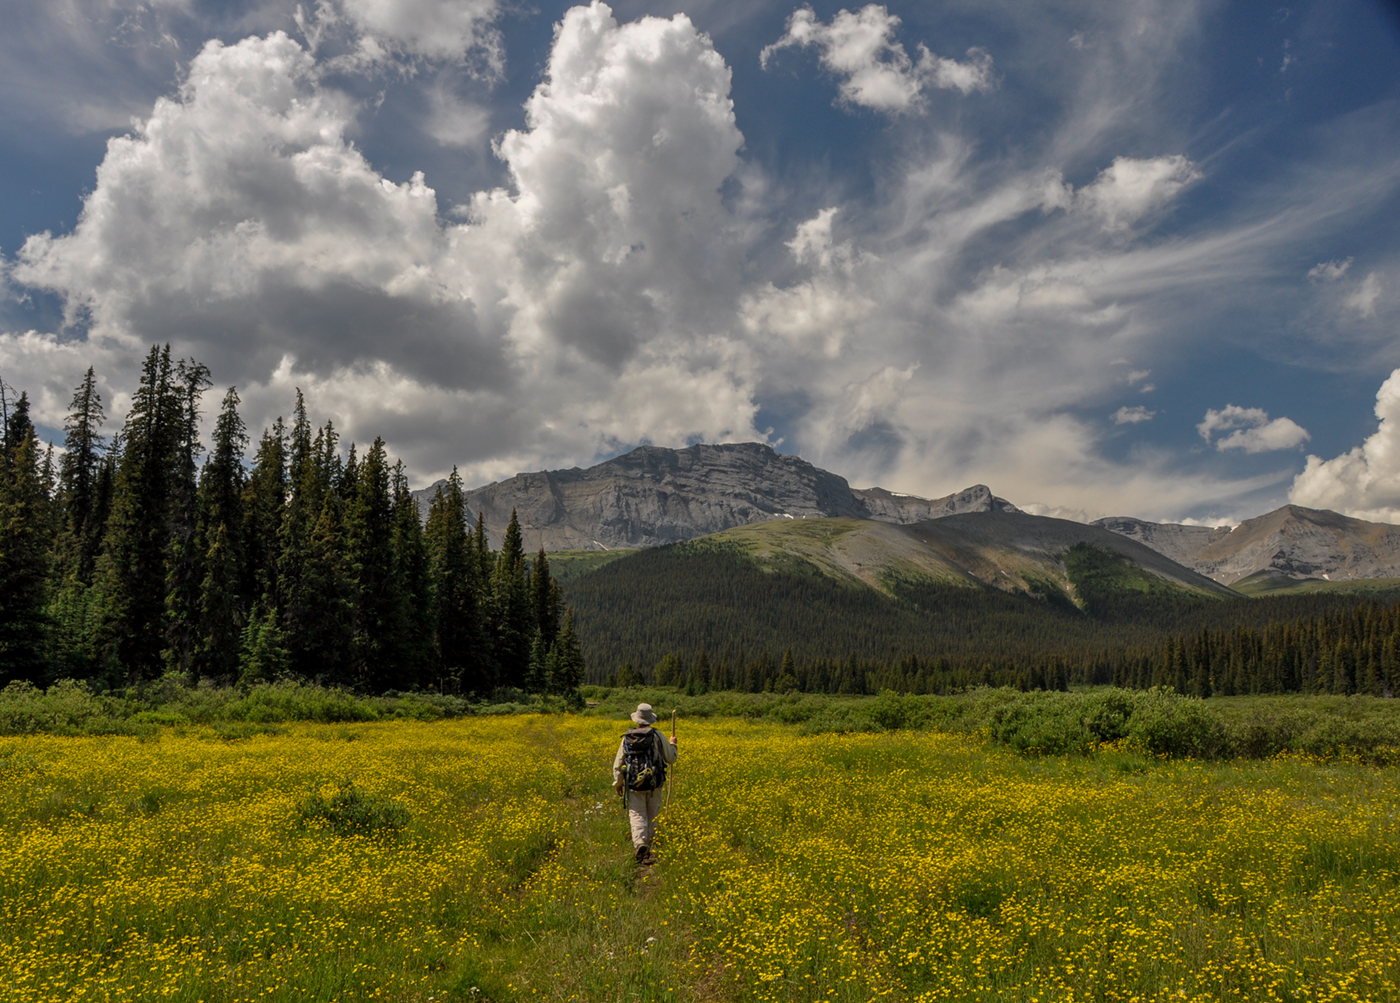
x: 129, y: 560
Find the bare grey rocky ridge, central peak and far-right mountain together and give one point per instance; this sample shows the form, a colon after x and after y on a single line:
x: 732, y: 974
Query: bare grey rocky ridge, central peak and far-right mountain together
x: 653, y: 497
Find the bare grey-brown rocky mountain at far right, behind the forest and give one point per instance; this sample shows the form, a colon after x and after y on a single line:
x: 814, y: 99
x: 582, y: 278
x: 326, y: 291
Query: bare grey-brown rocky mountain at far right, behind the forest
x: 1290, y: 543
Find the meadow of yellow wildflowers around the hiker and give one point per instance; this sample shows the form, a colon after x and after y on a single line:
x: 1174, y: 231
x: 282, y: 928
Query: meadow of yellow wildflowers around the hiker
x: 486, y: 859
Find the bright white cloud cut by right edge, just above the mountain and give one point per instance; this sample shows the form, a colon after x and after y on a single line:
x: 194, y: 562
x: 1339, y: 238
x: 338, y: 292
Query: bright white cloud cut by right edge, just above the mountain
x: 1363, y: 483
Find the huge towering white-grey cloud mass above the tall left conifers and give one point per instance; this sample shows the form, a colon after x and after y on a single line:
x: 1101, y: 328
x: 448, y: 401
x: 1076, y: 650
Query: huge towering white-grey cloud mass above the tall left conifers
x: 582, y: 310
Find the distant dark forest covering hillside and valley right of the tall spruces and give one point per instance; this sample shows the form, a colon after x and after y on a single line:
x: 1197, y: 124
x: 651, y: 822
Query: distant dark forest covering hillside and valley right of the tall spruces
x: 710, y: 617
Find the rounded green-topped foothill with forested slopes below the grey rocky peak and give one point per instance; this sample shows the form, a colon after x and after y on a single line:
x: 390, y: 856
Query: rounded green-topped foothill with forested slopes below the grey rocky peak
x: 974, y: 589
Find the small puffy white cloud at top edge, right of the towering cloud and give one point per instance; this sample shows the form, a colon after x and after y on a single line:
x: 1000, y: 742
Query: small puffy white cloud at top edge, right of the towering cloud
x: 876, y: 71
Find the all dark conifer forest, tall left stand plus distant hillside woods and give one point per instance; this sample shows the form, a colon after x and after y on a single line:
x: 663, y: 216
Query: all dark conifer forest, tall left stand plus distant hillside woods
x: 150, y: 555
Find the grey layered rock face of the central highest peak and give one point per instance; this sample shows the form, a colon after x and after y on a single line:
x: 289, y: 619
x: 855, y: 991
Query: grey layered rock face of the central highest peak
x: 654, y: 497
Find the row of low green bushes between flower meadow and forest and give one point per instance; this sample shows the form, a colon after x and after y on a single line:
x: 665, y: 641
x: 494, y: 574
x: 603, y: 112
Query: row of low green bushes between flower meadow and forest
x: 1153, y: 722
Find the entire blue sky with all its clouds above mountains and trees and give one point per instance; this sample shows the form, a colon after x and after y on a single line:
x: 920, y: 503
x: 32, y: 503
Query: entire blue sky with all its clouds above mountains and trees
x: 1109, y: 260
